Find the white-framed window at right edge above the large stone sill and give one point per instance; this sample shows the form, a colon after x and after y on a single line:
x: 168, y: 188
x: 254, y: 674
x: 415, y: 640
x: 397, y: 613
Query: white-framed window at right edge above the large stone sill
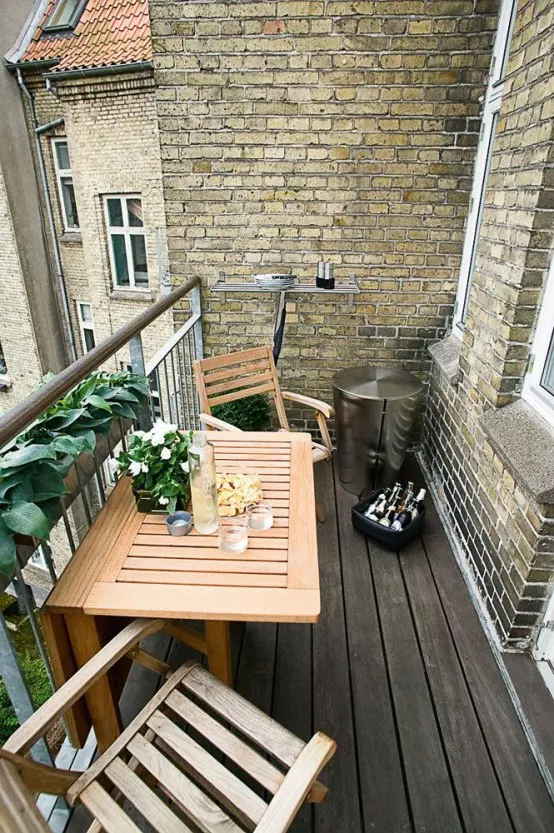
x: 538, y: 387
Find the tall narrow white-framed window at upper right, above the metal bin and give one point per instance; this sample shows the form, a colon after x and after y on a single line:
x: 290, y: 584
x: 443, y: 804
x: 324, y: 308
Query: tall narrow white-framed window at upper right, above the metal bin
x: 491, y: 109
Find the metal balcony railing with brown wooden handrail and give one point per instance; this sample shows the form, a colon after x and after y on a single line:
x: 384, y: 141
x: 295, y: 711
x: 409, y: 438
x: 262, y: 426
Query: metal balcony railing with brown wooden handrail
x: 174, y: 399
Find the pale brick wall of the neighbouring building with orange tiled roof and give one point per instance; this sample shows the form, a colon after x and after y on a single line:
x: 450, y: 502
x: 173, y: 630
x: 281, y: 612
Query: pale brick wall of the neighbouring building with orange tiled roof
x: 111, y: 128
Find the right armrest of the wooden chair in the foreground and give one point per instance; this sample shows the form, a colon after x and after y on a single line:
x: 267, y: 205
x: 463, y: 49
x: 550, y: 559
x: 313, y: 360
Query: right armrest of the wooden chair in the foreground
x: 296, y: 785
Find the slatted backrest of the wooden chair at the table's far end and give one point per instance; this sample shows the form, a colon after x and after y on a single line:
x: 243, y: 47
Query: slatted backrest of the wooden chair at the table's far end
x: 237, y: 375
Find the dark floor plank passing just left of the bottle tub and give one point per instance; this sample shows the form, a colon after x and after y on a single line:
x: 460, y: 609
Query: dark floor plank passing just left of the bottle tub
x: 382, y: 785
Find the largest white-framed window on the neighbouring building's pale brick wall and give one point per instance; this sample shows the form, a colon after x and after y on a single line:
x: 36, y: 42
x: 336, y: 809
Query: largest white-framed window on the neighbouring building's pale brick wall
x: 126, y: 241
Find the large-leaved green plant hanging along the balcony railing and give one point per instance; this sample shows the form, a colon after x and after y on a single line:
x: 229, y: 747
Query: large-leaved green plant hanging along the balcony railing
x: 33, y: 468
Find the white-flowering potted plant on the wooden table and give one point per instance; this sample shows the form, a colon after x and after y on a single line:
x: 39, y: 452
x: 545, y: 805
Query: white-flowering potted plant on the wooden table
x: 157, y: 462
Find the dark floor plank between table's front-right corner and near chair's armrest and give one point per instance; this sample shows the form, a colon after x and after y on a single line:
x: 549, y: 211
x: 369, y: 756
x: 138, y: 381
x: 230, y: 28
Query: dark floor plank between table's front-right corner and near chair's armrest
x: 292, y: 694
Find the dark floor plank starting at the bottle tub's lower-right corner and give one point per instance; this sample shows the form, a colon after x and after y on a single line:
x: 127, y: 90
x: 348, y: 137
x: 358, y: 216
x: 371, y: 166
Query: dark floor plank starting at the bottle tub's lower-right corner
x: 479, y: 795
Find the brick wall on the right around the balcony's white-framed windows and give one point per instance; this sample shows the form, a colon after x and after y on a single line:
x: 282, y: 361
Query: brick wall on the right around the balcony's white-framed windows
x: 506, y: 535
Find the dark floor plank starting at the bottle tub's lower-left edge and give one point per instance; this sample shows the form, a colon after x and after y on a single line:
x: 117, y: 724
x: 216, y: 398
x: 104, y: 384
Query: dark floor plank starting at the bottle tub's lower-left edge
x: 430, y: 790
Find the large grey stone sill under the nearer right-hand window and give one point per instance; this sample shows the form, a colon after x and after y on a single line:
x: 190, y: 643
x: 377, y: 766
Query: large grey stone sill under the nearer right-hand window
x: 525, y: 443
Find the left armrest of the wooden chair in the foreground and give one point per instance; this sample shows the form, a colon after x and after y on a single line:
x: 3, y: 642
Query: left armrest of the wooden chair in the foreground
x: 44, y: 717
